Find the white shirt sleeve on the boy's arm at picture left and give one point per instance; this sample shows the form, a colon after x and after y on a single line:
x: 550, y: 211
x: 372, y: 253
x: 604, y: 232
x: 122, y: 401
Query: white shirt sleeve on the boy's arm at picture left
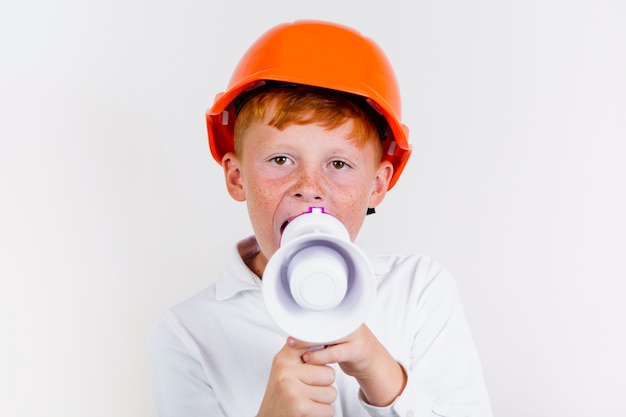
x: 178, y: 381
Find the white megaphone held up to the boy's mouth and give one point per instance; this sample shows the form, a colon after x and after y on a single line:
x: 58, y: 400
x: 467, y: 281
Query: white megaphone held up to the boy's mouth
x: 318, y: 286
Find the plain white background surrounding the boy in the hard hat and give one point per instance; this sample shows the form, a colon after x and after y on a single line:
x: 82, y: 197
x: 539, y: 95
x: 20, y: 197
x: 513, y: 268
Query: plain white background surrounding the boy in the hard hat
x: 112, y: 208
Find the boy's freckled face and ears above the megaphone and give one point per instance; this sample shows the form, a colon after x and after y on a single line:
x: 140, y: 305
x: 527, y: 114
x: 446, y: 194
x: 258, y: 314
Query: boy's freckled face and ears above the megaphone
x: 282, y: 173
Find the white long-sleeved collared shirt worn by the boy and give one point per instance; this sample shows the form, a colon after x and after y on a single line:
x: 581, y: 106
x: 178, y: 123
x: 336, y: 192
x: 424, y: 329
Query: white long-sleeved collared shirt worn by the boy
x: 211, y: 355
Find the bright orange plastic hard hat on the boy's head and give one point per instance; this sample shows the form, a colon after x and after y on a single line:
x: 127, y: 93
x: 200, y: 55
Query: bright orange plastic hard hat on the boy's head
x: 318, y: 54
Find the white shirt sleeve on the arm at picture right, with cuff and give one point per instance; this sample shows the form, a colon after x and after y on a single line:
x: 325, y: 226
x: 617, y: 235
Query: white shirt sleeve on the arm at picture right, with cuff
x: 444, y: 373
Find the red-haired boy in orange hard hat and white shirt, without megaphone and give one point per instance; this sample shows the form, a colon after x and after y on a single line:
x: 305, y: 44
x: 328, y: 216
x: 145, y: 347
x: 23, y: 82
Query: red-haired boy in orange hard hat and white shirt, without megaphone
x: 312, y: 118
